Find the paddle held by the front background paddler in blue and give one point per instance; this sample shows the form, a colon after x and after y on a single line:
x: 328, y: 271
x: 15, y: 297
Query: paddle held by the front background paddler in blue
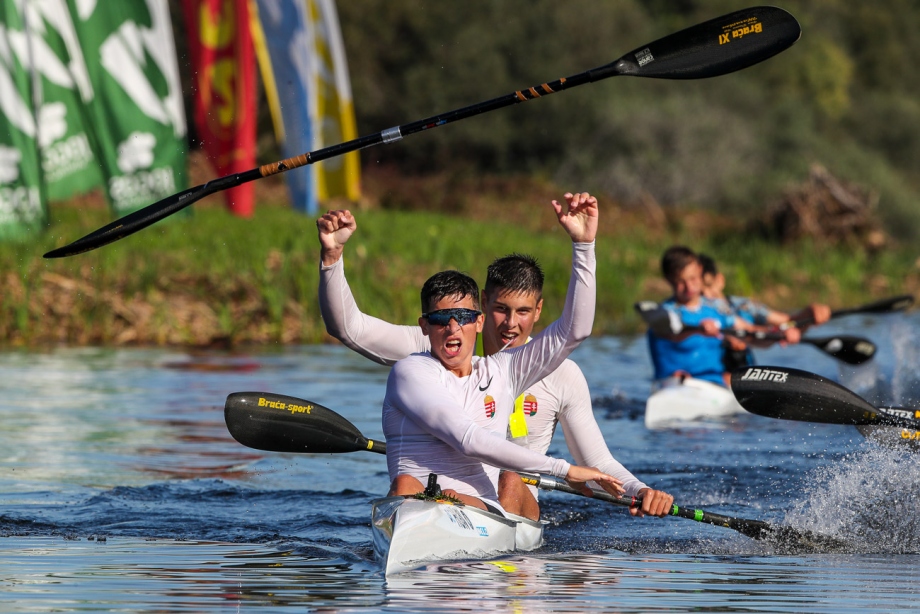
x: 845, y: 348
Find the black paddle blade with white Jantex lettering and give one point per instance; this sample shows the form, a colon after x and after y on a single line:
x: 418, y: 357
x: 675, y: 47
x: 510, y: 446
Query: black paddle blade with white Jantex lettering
x: 791, y: 394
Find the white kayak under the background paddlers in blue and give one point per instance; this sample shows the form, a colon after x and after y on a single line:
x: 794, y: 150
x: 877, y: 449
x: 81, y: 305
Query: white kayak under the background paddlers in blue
x: 681, y: 400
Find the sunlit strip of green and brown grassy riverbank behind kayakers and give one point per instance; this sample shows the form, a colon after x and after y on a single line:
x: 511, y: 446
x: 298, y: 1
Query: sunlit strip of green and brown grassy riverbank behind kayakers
x: 213, y: 279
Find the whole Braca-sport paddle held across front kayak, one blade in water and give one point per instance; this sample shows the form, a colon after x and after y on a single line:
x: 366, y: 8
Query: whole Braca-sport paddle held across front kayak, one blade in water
x: 279, y: 423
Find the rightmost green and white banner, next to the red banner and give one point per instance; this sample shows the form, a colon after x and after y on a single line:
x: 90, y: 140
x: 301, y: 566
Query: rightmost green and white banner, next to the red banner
x: 137, y: 113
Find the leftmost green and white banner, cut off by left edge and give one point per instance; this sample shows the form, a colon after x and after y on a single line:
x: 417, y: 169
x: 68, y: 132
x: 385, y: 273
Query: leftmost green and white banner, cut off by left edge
x: 22, y: 210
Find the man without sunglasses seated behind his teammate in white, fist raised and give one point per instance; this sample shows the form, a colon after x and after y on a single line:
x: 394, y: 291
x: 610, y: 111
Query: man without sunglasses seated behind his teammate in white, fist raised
x: 512, y: 301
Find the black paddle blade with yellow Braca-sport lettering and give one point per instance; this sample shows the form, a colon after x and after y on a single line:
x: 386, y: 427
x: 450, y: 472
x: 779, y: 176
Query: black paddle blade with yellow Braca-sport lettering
x: 279, y: 423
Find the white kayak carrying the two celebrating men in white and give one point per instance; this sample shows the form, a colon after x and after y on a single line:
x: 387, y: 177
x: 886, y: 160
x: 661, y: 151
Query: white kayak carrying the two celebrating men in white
x: 409, y: 533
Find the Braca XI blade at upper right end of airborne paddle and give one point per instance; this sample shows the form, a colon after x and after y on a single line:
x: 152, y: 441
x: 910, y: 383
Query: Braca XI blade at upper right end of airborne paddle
x: 716, y: 47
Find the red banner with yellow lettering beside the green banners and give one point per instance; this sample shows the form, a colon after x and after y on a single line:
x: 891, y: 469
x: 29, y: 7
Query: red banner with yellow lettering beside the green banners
x: 224, y: 86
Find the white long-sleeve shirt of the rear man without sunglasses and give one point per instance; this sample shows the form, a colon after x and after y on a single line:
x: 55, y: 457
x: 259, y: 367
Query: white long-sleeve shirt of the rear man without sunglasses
x: 561, y: 398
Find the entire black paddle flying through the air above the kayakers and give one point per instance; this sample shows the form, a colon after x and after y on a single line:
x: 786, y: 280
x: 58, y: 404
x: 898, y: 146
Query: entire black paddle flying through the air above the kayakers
x: 716, y: 47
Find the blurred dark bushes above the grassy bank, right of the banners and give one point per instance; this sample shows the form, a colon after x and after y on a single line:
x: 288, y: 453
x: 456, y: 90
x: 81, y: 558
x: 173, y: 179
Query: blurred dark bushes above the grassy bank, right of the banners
x: 845, y: 97
